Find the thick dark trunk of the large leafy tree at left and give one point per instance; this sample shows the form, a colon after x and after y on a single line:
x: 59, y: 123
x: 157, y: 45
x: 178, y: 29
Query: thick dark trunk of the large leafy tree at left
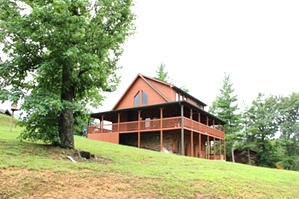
x: 66, y: 132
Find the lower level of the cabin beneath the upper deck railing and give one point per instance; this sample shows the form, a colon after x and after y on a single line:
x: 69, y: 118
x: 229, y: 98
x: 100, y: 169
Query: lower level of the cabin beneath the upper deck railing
x: 169, y: 141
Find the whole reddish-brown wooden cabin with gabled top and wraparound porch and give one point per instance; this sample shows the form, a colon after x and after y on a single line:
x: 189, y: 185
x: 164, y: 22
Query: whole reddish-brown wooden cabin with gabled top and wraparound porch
x: 159, y: 116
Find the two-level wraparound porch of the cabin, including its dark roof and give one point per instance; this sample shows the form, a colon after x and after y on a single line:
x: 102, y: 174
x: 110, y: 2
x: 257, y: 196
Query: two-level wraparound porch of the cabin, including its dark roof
x: 194, y: 132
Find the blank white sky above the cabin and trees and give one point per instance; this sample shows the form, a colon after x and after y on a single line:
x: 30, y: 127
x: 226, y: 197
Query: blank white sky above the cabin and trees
x: 256, y: 42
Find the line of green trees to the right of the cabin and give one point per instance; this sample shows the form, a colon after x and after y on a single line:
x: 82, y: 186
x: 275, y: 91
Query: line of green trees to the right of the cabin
x: 269, y: 127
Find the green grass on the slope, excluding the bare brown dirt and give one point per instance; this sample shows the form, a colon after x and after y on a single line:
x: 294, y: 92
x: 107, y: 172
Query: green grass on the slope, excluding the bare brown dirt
x: 168, y: 175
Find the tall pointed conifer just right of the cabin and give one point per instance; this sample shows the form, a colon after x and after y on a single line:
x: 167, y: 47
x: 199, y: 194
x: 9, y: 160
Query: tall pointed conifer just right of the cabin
x: 226, y: 107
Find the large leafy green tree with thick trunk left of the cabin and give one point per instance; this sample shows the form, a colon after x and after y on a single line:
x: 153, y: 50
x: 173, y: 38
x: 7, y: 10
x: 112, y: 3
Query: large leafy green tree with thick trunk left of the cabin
x: 61, y: 56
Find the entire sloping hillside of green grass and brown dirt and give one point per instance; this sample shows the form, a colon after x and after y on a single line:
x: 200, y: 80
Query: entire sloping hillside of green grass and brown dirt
x: 29, y: 170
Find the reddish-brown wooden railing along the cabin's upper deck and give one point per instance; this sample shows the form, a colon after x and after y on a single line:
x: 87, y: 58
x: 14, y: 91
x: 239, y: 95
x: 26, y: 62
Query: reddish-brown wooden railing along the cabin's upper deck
x: 155, y: 124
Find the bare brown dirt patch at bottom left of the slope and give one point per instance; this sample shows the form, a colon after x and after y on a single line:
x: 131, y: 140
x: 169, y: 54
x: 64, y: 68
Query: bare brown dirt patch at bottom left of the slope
x: 23, y: 183
